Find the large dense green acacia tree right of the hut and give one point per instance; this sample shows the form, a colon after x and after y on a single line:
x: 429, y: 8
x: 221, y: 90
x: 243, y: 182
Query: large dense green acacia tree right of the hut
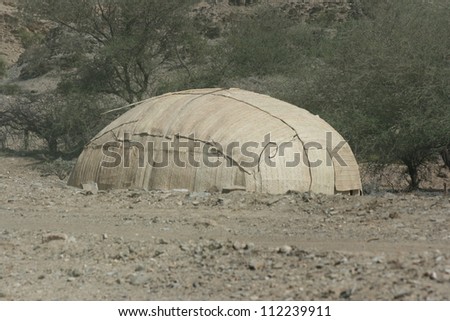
x: 386, y: 82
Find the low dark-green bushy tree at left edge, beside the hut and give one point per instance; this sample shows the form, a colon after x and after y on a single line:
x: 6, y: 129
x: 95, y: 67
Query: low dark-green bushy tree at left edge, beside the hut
x: 65, y: 123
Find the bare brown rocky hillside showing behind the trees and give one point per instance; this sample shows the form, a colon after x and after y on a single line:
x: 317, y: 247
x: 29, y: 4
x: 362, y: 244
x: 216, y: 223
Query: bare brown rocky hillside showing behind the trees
x: 32, y: 68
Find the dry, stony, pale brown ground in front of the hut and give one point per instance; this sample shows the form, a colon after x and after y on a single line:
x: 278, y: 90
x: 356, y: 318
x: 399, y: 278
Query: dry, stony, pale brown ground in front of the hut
x: 61, y: 243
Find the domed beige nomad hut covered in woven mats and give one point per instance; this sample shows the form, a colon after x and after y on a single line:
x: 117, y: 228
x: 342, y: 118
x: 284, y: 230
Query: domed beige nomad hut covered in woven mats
x: 219, y: 139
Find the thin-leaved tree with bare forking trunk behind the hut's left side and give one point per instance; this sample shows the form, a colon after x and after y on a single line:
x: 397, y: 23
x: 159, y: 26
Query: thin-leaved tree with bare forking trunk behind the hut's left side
x: 130, y: 40
